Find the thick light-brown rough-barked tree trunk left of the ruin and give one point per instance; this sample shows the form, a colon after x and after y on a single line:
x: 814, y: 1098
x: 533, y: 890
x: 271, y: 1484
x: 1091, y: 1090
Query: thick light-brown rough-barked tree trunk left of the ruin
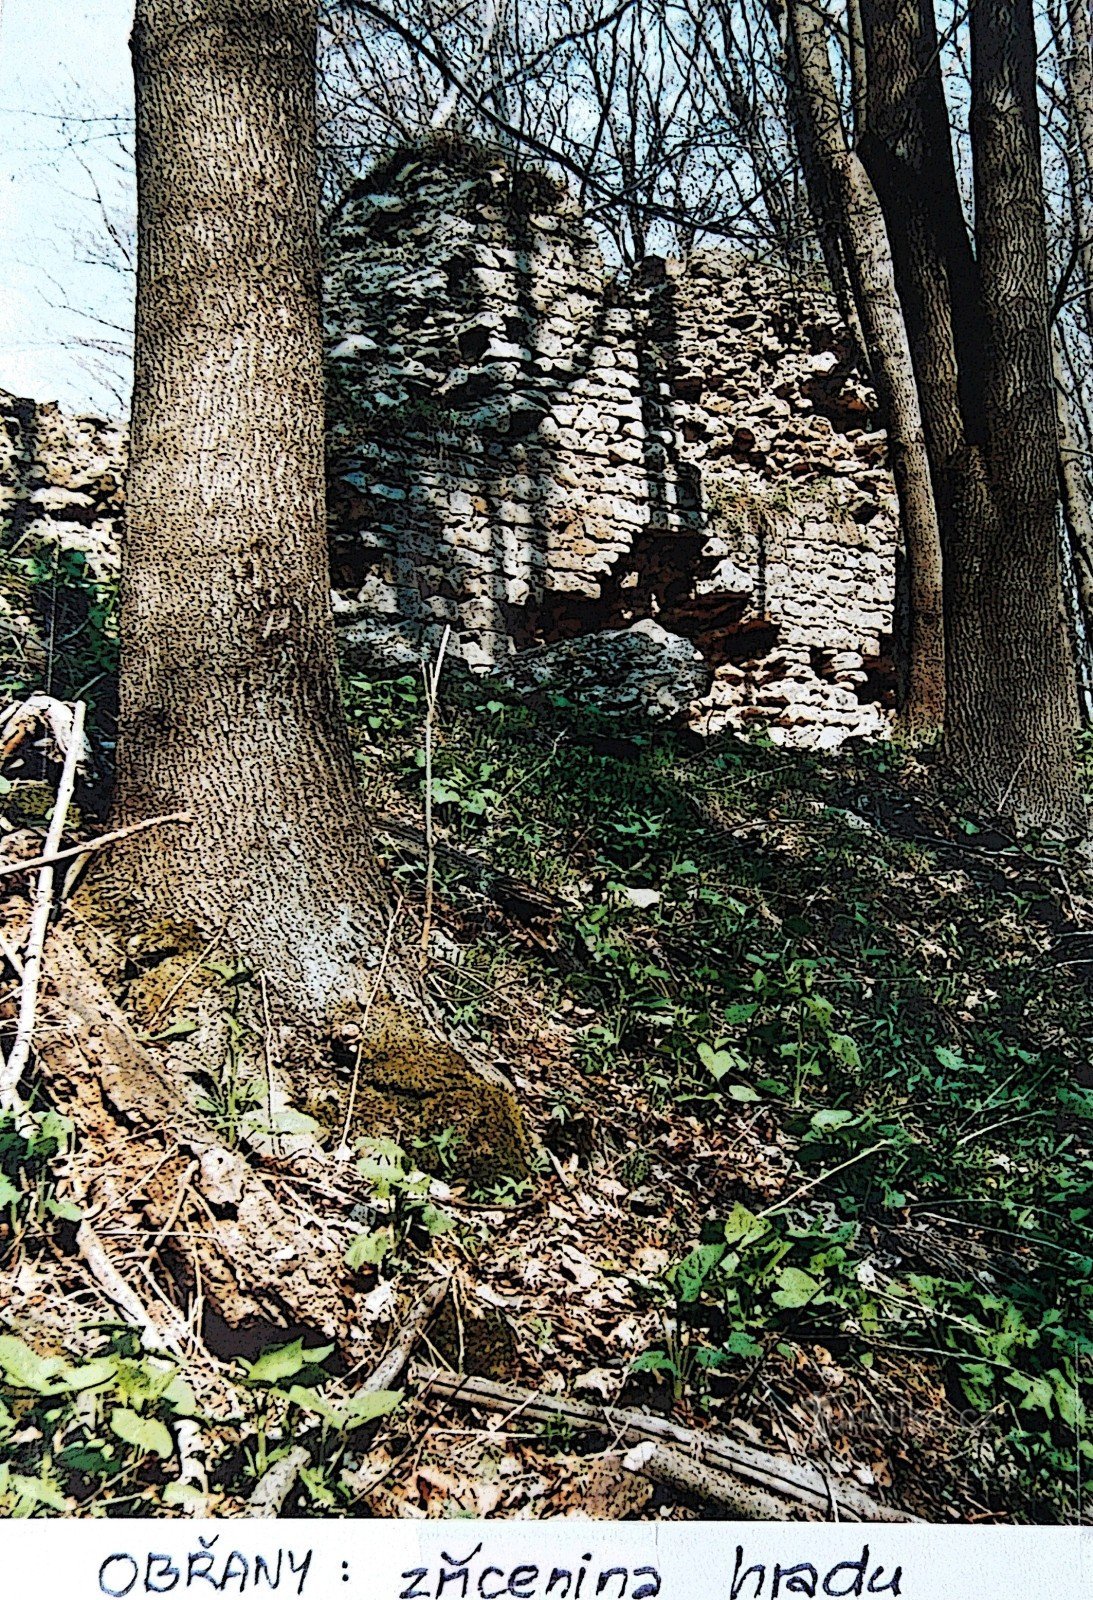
x: 230, y: 695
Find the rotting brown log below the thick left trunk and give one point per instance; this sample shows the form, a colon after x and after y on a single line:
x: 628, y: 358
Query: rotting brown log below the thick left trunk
x: 249, y: 1262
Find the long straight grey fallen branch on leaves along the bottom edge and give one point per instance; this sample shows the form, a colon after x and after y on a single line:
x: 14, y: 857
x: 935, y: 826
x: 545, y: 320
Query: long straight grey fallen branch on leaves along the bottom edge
x: 804, y: 1486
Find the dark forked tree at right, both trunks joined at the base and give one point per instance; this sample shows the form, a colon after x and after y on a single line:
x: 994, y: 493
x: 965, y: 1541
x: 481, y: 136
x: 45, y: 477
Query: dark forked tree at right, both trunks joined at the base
x: 979, y: 329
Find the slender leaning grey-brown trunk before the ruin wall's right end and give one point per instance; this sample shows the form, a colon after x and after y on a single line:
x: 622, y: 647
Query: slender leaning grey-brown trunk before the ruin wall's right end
x: 868, y: 255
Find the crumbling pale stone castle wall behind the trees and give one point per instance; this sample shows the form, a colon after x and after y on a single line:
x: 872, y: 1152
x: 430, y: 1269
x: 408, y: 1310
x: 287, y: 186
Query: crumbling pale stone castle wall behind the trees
x: 529, y: 450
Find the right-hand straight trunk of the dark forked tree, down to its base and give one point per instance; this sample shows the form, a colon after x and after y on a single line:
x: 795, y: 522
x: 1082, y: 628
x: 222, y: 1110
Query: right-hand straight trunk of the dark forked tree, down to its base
x: 1014, y: 702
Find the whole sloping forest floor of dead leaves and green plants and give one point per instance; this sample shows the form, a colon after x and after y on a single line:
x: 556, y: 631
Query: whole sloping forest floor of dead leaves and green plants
x: 806, y: 1049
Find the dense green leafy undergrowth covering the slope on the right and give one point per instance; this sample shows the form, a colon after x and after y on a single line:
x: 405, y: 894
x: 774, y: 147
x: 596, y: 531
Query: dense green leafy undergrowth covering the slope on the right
x: 835, y: 953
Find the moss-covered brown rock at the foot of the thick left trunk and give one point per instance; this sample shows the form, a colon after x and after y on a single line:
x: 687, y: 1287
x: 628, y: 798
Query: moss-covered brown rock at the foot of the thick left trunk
x: 417, y: 1086
